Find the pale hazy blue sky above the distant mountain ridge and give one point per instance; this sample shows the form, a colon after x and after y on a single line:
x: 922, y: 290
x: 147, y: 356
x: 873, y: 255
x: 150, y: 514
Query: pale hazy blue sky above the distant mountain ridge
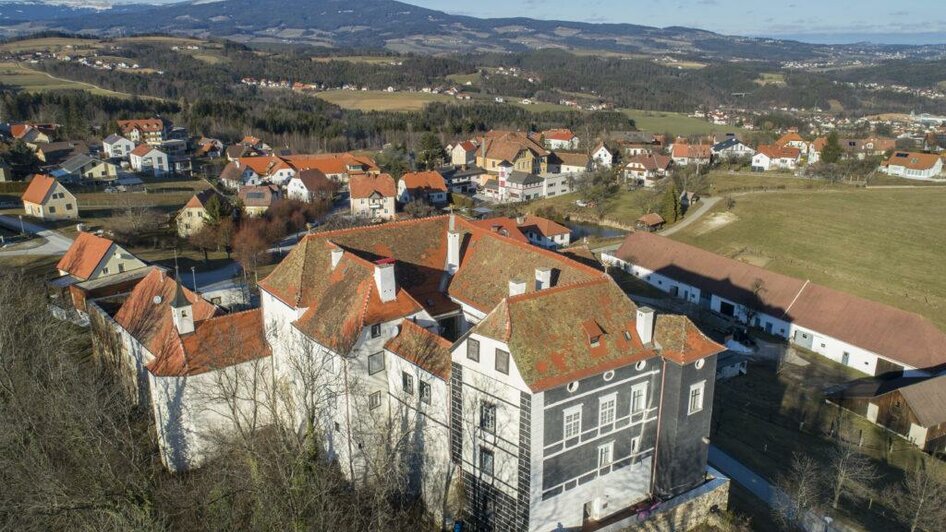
x: 841, y: 20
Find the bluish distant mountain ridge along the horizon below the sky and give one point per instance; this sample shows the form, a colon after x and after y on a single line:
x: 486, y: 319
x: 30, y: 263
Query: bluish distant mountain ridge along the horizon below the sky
x: 394, y: 25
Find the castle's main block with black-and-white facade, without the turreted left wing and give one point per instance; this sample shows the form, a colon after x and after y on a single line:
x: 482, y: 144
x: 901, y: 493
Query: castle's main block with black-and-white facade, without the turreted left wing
x: 502, y: 360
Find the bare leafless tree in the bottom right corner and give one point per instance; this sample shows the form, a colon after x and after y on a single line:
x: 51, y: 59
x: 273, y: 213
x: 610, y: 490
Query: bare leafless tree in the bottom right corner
x: 920, y: 501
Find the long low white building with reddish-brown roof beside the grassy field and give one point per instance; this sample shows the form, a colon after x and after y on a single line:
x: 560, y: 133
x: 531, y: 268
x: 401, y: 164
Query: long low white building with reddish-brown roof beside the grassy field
x: 872, y: 338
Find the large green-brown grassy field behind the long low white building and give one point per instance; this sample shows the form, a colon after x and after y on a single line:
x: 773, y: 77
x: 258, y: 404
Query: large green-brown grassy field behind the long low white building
x: 886, y: 245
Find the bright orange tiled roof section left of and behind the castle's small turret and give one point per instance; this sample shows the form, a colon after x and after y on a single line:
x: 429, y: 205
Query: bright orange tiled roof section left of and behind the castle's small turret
x: 146, y: 315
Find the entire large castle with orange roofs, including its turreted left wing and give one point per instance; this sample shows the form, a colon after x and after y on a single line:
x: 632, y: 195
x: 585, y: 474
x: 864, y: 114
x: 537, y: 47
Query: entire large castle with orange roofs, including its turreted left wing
x: 451, y: 336
